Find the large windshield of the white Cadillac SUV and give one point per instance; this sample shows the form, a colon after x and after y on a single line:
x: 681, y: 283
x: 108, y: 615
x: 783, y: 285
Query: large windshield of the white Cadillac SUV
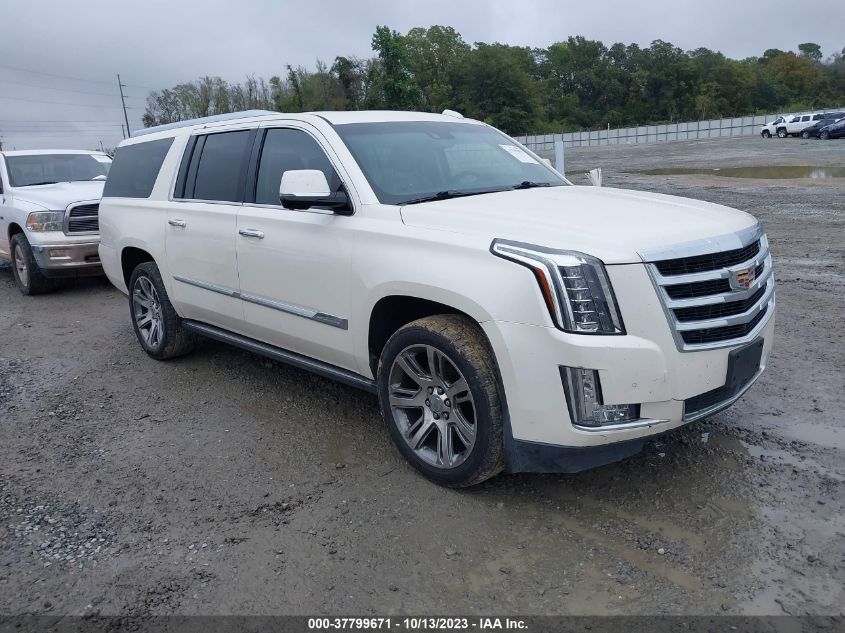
x: 411, y: 161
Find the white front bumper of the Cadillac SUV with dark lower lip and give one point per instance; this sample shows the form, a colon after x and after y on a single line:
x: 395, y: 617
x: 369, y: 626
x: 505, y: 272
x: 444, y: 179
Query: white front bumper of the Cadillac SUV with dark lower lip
x: 642, y: 367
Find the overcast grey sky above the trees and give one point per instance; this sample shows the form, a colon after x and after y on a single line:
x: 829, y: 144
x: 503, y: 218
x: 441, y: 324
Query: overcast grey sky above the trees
x: 49, y: 46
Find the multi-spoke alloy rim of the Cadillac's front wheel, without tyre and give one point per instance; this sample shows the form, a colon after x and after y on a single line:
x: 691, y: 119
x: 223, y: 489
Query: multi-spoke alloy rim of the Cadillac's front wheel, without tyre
x: 432, y: 406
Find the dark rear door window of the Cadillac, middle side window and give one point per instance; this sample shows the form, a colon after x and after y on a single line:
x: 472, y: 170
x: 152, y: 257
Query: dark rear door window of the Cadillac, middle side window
x: 217, y: 167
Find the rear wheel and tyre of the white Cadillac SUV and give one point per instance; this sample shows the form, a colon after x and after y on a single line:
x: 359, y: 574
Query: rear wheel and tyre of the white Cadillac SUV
x: 158, y: 328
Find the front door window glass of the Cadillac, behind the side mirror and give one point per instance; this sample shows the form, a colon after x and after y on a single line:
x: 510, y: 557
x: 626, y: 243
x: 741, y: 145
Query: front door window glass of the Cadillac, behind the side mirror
x: 286, y: 149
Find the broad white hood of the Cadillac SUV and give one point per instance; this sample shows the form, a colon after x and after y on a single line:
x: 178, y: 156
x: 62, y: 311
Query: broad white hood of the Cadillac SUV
x: 611, y: 224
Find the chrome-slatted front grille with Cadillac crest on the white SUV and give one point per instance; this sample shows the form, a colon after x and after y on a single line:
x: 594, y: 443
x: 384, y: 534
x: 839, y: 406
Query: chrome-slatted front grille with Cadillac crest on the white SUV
x: 716, y: 299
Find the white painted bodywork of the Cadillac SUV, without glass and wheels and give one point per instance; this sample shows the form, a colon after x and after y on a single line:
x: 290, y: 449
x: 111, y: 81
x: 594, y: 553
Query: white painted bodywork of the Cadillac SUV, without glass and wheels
x: 440, y: 251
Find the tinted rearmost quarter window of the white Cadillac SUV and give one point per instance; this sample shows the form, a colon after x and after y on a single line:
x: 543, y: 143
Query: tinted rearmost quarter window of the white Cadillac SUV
x: 135, y: 169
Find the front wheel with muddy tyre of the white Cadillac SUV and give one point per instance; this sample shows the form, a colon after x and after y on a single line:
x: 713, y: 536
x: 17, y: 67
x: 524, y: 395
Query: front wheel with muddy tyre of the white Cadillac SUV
x: 440, y: 400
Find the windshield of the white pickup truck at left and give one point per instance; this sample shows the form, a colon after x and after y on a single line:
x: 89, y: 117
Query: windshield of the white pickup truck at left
x: 40, y: 169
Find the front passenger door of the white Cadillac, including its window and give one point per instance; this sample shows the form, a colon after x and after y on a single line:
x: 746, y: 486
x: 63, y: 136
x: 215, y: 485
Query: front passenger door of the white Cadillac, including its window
x: 295, y: 266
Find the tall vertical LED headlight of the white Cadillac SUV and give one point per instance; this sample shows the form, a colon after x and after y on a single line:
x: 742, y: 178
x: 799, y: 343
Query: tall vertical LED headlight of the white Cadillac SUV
x: 574, y: 286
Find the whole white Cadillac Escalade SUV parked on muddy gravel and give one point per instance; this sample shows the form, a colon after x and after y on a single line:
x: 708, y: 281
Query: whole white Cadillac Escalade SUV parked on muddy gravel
x: 506, y: 319
